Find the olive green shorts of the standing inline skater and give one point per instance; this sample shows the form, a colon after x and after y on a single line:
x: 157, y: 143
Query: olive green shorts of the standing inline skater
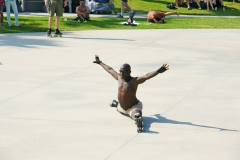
x: 55, y: 6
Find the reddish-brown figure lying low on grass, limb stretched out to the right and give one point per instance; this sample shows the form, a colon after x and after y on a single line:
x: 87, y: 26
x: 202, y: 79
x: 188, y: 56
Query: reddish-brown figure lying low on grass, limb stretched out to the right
x: 158, y: 17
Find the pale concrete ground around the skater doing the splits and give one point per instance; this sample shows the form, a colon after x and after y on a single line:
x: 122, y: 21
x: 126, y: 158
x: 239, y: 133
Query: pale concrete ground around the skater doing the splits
x: 54, y: 100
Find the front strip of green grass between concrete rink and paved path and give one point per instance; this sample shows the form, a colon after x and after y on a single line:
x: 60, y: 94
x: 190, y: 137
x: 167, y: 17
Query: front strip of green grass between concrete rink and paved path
x: 39, y: 24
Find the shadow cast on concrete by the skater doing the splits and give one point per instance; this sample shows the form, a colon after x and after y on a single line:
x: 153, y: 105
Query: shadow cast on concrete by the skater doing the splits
x: 160, y: 119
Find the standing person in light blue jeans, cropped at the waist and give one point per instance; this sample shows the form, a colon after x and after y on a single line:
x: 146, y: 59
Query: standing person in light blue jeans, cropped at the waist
x: 13, y: 5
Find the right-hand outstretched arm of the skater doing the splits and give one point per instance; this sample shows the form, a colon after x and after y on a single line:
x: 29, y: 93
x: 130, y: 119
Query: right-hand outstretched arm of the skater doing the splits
x: 152, y: 74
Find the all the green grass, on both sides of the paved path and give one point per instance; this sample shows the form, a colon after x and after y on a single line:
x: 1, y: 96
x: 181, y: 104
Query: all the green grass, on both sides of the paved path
x: 39, y: 24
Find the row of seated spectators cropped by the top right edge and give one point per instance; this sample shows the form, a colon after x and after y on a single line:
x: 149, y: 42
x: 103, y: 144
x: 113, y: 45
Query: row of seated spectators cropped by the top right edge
x: 195, y: 3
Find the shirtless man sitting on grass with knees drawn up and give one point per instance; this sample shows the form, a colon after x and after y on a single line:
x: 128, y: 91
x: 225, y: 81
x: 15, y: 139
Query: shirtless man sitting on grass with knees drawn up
x: 82, y: 11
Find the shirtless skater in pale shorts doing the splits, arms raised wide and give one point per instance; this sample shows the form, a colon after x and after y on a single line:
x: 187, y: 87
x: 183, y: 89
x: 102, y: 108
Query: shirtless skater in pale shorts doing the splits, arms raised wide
x: 127, y: 88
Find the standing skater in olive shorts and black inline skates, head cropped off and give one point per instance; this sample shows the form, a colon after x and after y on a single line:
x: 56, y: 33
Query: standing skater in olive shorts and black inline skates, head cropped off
x: 55, y: 6
